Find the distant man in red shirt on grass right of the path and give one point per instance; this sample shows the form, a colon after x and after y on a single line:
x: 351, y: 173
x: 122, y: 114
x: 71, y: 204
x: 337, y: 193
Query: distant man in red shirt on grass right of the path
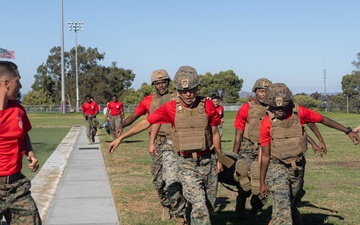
x: 114, y: 114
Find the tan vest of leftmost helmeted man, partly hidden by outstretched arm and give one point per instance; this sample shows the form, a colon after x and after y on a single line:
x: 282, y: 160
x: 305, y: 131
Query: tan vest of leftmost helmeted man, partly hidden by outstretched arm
x: 165, y: 129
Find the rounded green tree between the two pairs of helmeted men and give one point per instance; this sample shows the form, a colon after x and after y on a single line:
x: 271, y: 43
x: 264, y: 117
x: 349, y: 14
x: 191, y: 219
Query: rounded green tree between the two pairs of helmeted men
x: 225, y: 83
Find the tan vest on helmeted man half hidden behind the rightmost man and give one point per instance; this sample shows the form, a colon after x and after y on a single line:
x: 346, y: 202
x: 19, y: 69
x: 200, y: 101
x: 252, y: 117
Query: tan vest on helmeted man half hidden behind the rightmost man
x: 252, y: 127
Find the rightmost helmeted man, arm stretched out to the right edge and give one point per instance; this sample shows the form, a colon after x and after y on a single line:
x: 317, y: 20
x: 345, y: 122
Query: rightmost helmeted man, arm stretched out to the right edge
x: 283, y: 142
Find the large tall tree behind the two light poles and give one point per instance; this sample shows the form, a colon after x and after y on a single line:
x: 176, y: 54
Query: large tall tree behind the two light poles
x: 100, y: 81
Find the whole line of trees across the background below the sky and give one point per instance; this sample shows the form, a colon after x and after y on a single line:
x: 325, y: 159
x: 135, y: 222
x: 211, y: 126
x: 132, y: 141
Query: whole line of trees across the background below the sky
x: 104, y: 81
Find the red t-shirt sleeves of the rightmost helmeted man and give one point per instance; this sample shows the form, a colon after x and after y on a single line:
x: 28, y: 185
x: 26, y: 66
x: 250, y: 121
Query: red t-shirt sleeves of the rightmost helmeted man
x: 306, y: 116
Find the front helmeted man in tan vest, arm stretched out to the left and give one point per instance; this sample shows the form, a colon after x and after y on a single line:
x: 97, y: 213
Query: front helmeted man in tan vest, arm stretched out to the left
x: 195, y: 138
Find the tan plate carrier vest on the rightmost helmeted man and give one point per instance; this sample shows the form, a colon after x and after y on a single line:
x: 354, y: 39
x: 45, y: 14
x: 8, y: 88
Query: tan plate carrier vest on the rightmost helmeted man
x: 288, y: 138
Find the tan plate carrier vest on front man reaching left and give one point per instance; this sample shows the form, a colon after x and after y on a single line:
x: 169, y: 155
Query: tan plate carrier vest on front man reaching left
x: 192, y: 131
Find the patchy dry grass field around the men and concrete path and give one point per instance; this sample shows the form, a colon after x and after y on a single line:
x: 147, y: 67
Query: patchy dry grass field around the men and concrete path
x: 332, y: 183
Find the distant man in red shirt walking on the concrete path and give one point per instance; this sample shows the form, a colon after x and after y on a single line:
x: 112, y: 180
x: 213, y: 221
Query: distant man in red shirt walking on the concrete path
x: 90, y: 109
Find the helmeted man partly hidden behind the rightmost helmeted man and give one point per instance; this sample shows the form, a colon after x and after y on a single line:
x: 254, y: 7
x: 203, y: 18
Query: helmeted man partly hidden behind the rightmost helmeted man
x: 246, y: 144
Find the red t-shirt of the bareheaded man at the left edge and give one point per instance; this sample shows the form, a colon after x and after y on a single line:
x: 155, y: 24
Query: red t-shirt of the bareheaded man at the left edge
x: 14, y: 125
